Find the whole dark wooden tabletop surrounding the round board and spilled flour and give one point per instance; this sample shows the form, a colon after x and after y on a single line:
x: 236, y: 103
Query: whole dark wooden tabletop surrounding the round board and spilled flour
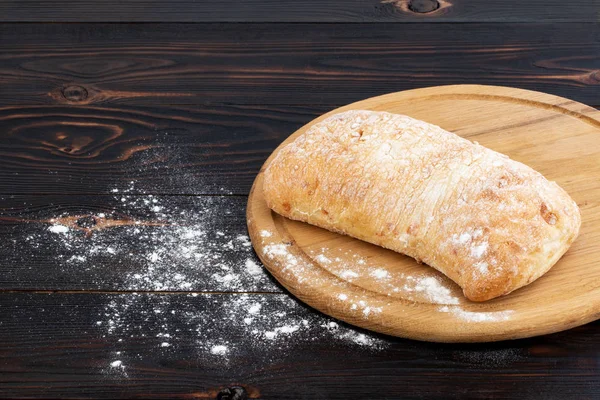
x: 187, y: 99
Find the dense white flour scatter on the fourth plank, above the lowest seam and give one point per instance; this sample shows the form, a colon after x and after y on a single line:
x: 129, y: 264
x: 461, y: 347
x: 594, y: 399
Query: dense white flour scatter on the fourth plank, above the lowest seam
x: 156, y: 243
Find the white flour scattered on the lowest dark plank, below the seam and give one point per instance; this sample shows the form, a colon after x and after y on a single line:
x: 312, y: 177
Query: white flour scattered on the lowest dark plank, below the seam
x: 222, y: 328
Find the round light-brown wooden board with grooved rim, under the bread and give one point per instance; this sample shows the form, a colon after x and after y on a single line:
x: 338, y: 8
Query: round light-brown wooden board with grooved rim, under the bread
x: 387, y: 292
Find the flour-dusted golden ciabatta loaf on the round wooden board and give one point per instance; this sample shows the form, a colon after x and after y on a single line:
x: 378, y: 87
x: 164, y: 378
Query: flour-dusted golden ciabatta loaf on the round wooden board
x: 489, y: 223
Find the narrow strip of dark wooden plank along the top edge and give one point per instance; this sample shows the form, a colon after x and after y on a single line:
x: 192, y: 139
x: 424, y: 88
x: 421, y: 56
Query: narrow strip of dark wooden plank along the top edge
x: 300, y: 11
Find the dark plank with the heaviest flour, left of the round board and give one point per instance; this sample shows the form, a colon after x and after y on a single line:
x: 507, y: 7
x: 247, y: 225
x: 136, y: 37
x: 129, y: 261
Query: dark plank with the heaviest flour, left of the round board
x: 128, y: 242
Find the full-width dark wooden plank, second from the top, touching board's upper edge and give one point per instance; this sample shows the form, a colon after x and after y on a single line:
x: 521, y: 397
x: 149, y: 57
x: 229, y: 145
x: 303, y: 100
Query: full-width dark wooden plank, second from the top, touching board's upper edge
x: 314, y: 64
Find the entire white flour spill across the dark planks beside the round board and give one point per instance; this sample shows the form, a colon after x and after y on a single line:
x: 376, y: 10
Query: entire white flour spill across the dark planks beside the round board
x: 154, y: 243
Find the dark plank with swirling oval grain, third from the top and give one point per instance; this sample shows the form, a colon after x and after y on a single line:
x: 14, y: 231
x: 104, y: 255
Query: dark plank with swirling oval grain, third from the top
x: 202, y: 150
